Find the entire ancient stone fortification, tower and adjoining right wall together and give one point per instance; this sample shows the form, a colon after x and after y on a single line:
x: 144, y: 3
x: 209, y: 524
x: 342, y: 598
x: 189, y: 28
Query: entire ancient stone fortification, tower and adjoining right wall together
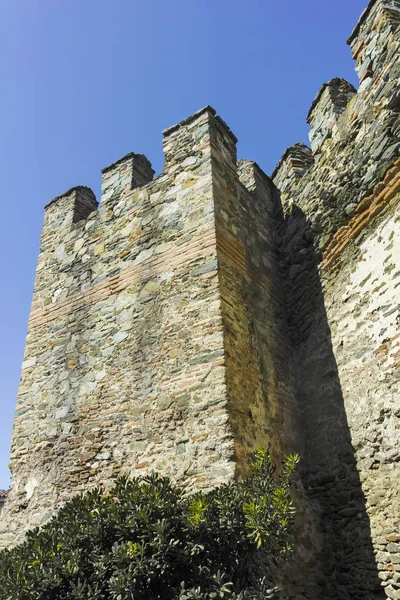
x: 194, y: 316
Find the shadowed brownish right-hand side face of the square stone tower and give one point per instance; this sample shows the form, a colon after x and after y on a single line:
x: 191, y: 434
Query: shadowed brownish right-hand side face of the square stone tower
x: 249, y: 225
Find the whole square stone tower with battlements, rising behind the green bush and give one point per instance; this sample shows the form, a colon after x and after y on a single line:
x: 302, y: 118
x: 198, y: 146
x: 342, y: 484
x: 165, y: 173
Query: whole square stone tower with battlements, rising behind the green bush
x: 130, y: 356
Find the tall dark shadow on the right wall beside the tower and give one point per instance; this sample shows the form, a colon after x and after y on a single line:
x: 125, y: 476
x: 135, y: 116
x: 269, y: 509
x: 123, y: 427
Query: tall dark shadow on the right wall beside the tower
x: 329, y: 470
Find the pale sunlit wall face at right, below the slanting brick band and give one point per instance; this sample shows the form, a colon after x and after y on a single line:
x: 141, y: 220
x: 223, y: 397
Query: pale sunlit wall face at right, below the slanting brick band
x: 362, y: 301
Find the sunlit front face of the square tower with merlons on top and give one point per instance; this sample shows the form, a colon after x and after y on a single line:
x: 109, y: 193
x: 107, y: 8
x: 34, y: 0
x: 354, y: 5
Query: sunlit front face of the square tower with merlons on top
x: 136, y: 284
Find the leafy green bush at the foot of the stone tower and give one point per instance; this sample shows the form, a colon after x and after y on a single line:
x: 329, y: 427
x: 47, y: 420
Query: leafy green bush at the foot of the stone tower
x: 146, y: 540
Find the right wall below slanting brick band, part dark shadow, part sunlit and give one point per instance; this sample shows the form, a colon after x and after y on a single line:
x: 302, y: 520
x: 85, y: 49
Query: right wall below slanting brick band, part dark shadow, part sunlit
x: 345, y: 328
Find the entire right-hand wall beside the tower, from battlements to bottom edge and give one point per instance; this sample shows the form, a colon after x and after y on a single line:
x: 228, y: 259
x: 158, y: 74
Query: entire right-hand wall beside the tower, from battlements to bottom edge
x: 342, y: 260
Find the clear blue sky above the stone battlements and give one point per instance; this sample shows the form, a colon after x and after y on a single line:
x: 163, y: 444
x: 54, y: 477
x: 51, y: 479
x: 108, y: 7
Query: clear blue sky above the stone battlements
x: 86, y: 81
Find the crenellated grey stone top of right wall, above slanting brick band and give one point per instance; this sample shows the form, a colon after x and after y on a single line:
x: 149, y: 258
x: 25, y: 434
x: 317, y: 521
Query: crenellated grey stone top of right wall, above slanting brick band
x: 354, y: 134
